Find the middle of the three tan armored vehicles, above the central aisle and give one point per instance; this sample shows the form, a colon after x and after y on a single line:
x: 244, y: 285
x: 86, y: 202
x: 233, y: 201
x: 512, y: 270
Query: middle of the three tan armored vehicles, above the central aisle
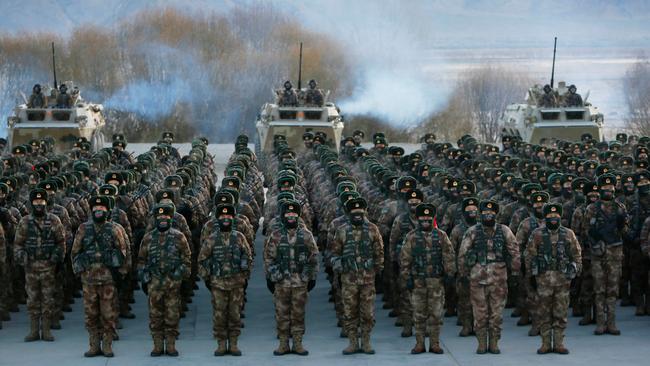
x: 293, y: 120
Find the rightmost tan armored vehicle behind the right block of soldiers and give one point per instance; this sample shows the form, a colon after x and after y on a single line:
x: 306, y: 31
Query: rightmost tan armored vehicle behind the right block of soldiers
x: 538, y: 124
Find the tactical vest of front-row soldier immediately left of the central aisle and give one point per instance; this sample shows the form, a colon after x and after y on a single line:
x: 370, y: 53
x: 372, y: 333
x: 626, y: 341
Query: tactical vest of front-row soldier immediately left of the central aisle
x: 227, y: 260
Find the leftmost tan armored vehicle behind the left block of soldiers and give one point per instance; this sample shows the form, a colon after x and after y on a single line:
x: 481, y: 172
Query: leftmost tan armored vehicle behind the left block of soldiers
x: 65, y: 125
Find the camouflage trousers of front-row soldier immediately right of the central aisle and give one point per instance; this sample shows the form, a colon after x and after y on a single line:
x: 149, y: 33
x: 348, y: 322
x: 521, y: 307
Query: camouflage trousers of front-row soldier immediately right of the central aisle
x: 290, y: 305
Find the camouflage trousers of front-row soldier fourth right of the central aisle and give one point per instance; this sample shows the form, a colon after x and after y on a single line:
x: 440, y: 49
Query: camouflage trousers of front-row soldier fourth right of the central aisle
x: 488, y: 302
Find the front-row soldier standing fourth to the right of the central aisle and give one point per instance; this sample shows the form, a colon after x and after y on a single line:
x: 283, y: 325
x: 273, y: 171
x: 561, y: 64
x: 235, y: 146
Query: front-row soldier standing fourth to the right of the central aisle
x: 486, y: 250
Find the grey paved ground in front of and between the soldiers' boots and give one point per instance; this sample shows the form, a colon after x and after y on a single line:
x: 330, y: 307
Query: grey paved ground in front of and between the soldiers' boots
x: 322, y: 340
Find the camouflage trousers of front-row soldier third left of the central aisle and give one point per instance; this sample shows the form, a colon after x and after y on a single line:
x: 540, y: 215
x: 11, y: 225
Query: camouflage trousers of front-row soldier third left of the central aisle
x: 100, y: 313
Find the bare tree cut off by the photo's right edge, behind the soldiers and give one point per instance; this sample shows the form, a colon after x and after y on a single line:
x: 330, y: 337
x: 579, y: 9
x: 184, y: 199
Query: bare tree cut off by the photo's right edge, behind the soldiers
x: 636, y: 84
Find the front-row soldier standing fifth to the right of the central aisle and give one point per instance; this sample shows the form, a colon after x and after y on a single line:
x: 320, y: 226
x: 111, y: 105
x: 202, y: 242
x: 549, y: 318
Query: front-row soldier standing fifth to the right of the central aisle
x: 553, y: 259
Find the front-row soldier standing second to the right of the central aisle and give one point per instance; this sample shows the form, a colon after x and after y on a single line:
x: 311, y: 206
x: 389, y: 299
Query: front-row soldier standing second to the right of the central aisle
x: 358, y: 255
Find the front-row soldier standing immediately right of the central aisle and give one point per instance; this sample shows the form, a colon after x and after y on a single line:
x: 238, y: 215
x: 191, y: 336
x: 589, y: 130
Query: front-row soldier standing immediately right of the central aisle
x: 291, y: 265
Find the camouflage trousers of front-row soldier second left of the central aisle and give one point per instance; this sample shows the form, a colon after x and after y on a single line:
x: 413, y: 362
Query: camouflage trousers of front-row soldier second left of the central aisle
x: 164, y: 308
